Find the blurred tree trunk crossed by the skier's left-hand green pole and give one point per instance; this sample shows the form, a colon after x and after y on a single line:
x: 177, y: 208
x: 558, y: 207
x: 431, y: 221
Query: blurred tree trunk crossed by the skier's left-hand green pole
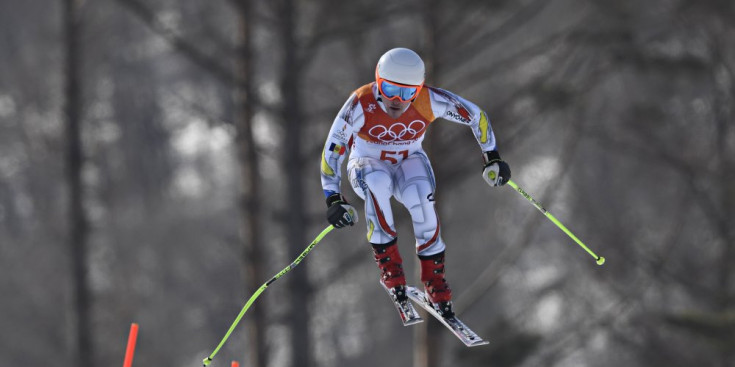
x: 250, y: 205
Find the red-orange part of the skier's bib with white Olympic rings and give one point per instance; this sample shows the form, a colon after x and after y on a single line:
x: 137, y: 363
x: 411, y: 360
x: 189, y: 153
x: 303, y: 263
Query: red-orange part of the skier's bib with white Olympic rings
x: 379, y: 128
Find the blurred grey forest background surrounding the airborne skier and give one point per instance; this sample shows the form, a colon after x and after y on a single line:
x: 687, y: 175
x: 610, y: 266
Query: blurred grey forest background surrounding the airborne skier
x: 159, y: 161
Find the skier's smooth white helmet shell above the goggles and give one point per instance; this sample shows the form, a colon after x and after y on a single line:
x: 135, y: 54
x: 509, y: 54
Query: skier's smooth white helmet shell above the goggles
x: 401, y: 65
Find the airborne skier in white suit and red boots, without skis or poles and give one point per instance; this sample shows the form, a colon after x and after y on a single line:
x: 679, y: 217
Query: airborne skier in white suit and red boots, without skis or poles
x: 382, y: 126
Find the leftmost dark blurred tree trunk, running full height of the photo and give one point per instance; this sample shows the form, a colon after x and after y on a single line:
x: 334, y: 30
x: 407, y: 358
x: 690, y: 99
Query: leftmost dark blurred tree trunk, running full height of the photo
x: 82, y: 352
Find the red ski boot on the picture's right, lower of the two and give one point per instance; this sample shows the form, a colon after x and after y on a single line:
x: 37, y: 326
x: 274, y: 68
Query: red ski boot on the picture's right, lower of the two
x: 438, y: 293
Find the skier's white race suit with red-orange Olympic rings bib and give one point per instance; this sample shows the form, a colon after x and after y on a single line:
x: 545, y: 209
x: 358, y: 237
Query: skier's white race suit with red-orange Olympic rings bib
x: 386, y: 158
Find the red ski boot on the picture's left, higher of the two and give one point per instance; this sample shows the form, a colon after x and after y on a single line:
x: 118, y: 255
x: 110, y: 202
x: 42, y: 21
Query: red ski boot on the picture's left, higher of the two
x: 390, y: 263
